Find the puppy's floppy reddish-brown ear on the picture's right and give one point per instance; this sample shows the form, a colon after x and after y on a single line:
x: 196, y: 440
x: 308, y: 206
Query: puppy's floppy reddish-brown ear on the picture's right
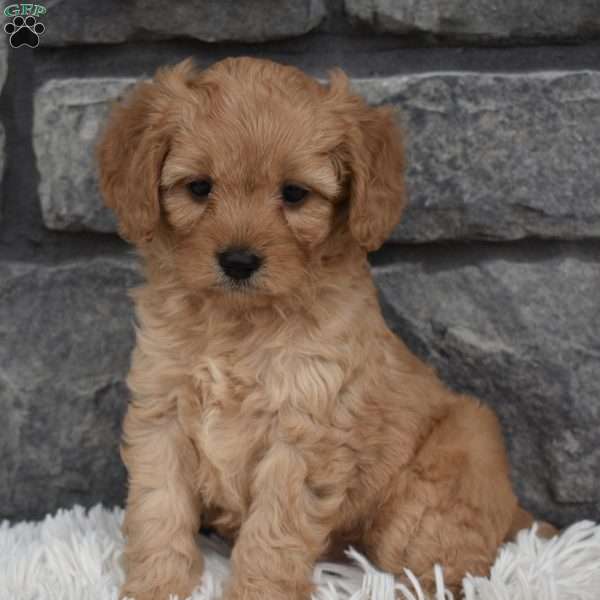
x: 374, y: 153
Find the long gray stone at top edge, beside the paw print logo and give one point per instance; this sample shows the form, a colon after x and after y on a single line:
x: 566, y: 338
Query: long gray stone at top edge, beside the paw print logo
x: 112, y: 21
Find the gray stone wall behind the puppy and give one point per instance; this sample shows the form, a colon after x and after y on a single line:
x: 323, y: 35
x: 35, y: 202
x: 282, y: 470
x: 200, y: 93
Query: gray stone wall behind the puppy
x: 493, y: 276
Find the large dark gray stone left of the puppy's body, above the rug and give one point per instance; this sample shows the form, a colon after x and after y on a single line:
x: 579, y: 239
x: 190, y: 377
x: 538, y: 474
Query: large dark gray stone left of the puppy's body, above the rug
x: 66, y: 334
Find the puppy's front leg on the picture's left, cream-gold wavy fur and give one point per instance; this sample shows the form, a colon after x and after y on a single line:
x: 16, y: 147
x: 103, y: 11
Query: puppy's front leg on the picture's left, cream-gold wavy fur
x: 162, y: 516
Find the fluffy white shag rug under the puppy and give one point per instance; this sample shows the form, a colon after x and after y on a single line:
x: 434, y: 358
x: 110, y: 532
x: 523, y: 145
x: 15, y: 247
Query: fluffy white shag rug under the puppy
x: 75, y: 555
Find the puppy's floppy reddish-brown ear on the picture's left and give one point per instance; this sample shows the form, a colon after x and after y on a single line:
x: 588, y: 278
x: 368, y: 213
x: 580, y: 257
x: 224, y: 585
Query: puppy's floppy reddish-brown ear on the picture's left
x: 133, y: 148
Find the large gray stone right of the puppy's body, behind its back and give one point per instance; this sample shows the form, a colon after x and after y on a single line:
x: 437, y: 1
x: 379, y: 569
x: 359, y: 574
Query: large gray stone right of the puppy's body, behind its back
x: 521, y: 333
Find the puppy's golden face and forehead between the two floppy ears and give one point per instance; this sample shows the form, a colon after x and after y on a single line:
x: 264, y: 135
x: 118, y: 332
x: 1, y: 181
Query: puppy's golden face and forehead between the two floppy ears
x: 249, y: 187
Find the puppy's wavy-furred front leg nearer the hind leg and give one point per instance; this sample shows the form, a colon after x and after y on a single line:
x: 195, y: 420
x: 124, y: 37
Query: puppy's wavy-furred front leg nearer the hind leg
x: 286, y: 531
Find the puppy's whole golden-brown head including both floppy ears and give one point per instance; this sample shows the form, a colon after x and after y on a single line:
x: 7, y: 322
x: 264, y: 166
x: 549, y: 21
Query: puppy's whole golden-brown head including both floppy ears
x: 248, y: 174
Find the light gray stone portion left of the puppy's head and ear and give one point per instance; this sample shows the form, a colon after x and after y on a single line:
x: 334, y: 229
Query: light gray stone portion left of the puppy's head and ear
x: 68, y: 116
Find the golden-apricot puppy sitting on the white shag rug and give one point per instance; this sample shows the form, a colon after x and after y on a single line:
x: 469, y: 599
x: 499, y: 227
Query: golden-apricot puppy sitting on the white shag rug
x: 269, y: 399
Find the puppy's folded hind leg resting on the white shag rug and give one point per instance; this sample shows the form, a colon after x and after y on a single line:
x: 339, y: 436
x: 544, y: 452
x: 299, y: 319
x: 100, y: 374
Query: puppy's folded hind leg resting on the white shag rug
x: 453, y: 506
